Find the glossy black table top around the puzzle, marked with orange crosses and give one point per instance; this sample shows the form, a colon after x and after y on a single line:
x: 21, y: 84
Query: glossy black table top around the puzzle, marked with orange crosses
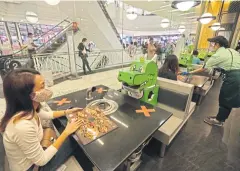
x: 110, y: 150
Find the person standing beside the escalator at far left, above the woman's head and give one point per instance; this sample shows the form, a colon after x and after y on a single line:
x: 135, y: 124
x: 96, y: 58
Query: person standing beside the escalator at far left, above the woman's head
x: 31, y: 50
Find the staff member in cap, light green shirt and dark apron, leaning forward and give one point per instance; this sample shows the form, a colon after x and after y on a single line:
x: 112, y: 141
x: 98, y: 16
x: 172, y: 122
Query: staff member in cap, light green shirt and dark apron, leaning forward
x: 229, y: 61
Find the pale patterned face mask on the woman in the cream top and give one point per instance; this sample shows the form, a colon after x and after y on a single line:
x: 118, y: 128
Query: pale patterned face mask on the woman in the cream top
x: 42, y: 95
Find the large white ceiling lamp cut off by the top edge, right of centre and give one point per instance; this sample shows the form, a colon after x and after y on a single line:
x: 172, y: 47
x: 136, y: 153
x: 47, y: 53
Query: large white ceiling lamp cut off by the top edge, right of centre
x: 185, y: 5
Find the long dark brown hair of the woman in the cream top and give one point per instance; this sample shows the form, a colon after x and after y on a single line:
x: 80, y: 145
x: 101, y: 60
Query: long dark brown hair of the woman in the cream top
x: 17, y: 88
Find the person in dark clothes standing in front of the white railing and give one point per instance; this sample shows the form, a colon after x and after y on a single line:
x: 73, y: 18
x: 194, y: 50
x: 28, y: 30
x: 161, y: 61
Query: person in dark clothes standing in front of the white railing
x: 83, y: 55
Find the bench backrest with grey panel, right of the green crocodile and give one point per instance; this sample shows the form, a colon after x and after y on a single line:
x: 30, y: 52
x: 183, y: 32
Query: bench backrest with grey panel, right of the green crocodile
x: 175, y: 96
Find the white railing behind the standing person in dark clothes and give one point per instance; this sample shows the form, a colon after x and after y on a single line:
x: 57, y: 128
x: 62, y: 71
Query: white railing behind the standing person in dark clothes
x: 59, y: 63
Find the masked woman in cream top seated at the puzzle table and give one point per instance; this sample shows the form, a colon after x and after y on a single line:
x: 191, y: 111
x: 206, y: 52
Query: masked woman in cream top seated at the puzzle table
x: 24, y: 89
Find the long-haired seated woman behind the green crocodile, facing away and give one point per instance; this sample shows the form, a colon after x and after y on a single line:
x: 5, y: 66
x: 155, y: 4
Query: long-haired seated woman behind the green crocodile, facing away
x: 170, y: 68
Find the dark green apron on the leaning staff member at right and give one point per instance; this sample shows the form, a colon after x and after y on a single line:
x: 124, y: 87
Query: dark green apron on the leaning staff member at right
x: 230, y: 90
